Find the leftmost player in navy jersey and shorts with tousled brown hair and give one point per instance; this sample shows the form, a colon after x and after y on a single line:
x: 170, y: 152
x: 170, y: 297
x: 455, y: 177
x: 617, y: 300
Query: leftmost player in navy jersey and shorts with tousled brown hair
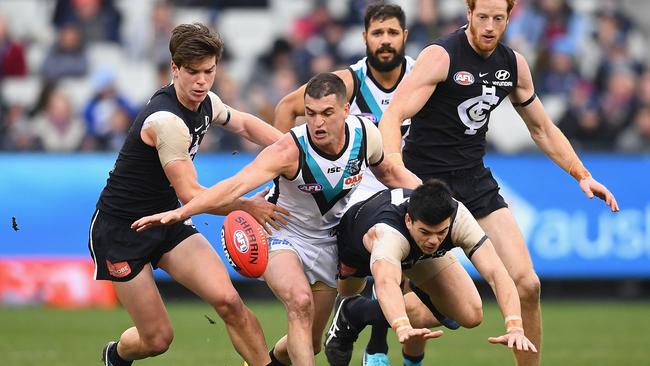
x: 154, y: 170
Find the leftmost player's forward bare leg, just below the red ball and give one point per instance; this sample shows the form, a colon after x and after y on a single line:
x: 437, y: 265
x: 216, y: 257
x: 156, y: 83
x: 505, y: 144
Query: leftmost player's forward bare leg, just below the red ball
x: 196, y: 265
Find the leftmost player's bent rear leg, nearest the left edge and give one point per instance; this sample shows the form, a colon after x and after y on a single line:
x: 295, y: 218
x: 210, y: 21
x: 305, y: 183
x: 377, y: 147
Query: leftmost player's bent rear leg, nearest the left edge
x: 152, y: 333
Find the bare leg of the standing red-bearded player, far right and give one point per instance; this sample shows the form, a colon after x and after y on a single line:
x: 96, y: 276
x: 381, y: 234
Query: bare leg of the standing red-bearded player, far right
x: 501, y: 227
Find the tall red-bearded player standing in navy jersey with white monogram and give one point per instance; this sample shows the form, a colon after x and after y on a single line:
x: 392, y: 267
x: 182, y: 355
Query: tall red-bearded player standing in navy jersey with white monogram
x: 455, y: 84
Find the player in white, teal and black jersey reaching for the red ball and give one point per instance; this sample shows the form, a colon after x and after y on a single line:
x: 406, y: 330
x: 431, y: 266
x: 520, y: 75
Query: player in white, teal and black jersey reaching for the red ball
x: 315, y: 167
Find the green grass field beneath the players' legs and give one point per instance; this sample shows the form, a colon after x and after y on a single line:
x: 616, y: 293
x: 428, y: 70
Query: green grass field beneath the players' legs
x: 576, y: 333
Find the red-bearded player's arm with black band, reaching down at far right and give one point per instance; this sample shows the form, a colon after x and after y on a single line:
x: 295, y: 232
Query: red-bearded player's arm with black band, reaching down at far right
x: 550, y: 139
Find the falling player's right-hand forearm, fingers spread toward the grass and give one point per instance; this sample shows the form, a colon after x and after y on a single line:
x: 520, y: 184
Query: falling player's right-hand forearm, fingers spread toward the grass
x: 488, y: 264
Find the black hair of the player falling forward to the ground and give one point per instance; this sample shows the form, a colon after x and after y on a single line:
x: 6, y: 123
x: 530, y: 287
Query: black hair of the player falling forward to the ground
x: 431, y: 202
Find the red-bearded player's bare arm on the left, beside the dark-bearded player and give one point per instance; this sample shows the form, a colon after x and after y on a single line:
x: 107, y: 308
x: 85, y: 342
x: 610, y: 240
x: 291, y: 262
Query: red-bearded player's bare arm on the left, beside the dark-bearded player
x: 412, y: 93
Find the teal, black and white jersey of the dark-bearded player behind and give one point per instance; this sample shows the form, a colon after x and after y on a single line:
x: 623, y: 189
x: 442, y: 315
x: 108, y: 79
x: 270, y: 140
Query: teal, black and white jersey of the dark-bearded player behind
x: 370, y: 100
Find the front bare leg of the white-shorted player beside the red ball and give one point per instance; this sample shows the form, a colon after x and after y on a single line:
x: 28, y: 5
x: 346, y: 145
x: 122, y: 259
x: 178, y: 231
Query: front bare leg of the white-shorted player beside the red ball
x: 296, y: 295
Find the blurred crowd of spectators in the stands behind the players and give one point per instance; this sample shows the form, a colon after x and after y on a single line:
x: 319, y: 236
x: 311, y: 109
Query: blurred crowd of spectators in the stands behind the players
x: 589, y: 66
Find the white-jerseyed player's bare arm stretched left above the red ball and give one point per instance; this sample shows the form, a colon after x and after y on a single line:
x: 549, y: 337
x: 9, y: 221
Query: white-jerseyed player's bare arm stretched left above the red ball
x: 278, y: 159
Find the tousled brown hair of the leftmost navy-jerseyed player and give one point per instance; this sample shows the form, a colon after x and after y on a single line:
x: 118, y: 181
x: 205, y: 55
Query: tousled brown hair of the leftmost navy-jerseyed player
x: 192, y: 42
